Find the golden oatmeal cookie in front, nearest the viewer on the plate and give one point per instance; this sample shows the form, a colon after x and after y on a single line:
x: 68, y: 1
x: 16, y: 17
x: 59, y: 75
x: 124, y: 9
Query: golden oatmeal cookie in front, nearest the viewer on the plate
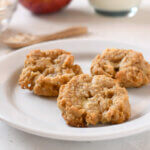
x: 86, y: 100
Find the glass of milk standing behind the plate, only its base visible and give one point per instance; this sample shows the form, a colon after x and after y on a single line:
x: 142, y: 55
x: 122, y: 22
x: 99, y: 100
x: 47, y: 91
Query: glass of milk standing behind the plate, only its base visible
x: 116, y: 7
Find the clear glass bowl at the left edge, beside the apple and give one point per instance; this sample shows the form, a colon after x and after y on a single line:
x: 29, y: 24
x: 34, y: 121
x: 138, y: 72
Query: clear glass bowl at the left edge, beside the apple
x: 7, y: 8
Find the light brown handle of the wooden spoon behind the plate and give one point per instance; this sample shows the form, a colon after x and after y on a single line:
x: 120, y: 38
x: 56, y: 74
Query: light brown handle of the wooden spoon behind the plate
x: 71, y: 32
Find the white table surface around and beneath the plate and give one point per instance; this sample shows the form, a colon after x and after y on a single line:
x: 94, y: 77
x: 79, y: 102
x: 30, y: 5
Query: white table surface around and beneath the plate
x: 129, y: 30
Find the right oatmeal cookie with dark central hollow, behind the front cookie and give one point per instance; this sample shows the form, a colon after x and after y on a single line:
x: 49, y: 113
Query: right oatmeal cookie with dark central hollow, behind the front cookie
x: 127, y: 66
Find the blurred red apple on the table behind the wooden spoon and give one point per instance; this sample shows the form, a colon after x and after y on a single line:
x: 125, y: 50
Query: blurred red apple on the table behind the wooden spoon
x: 44, y: 6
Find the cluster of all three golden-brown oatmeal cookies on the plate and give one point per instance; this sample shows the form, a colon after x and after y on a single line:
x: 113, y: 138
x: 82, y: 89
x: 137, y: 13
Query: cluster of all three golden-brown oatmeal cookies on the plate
x: 83, y: 99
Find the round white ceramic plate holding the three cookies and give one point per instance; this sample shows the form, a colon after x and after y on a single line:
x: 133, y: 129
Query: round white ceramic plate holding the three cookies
x: 38, y: 115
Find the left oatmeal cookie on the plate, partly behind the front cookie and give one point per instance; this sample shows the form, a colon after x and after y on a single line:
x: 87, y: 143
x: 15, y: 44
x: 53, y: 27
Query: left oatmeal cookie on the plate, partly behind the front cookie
x: 45, y: 71
